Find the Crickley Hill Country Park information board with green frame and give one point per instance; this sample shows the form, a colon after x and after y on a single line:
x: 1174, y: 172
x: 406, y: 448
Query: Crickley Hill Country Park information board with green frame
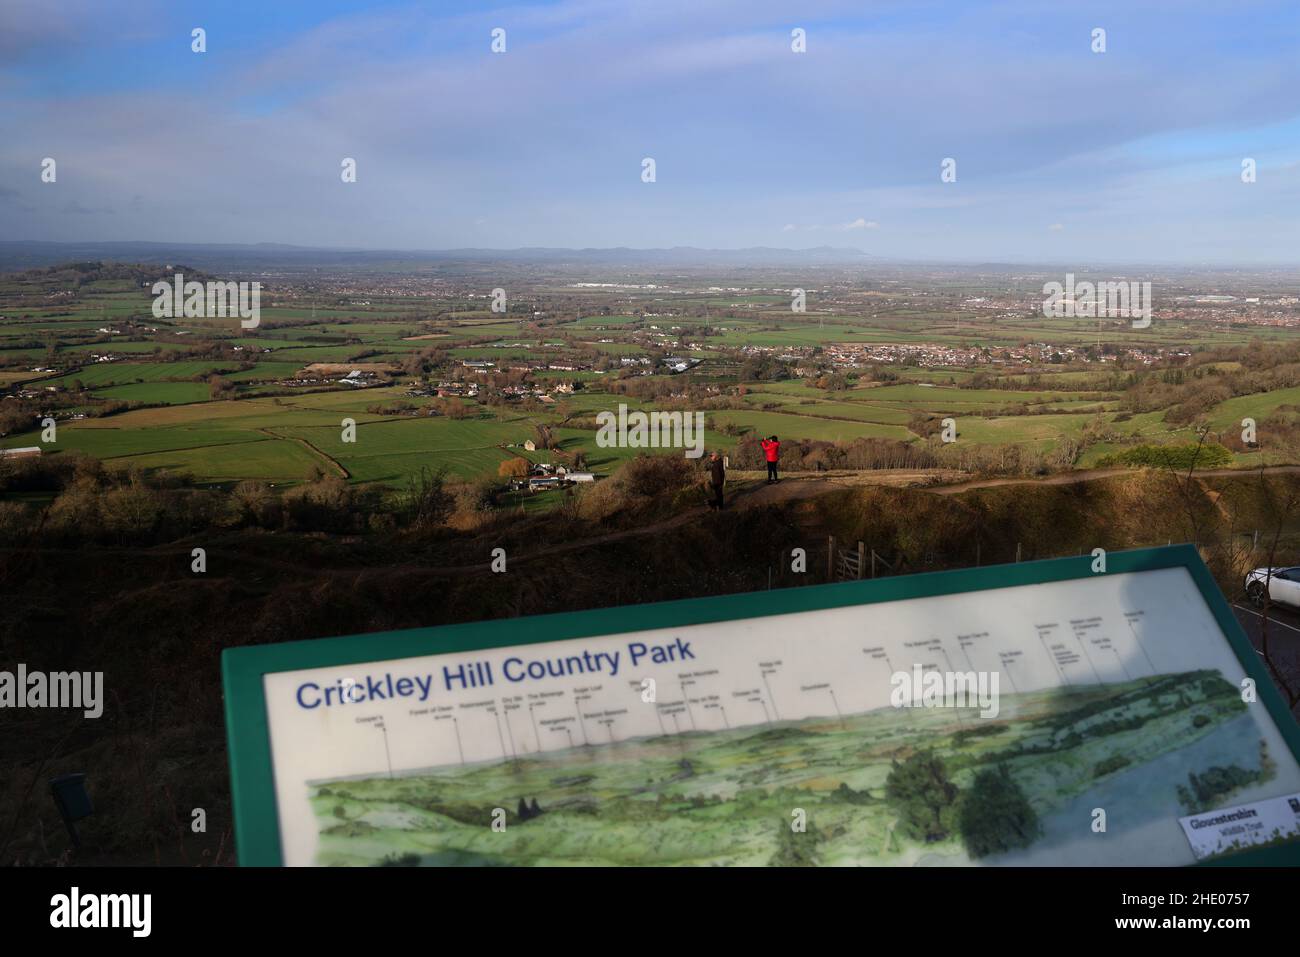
x: 1030, y: 714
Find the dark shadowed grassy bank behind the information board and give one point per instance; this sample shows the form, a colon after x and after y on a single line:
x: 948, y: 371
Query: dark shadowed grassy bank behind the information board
x: 157, y: 629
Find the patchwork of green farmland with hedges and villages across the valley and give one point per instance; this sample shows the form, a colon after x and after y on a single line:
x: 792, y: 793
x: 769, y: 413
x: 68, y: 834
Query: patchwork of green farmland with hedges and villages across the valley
x: 443, y: 383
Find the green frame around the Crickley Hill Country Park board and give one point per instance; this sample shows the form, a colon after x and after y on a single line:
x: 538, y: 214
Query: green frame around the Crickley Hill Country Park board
x: 249, y: 735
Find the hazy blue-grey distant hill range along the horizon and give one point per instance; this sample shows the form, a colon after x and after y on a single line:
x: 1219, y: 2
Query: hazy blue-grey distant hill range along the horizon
x: 27, y: 256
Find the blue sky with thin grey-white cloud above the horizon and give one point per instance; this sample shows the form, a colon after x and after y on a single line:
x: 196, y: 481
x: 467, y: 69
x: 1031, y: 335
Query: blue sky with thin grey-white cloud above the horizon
x: 1063, y: 154
